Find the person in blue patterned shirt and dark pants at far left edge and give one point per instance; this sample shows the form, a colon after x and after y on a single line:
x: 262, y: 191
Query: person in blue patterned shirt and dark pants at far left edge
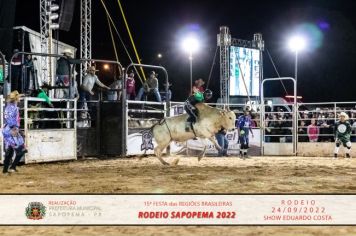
x: 13, y: 140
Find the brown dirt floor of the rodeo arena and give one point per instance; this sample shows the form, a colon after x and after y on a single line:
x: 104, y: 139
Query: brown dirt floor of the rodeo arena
x: 210, y: 175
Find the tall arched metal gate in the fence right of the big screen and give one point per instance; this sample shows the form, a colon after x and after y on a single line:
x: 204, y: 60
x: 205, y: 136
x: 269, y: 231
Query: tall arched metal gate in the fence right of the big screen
x: 278, y: 127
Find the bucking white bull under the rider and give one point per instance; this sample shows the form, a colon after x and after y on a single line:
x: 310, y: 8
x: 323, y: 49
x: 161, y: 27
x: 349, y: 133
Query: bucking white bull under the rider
x: 209, y: 122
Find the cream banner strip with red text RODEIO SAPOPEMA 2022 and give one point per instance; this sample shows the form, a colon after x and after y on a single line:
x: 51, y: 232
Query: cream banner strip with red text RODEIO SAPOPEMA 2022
x: 178, y: 210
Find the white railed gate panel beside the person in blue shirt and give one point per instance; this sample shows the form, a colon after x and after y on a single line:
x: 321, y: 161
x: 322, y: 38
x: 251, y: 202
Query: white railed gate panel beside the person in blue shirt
x: 50, y: 132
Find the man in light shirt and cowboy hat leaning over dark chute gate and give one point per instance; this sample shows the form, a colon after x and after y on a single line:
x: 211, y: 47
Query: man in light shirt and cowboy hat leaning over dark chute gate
x: 86, y: 88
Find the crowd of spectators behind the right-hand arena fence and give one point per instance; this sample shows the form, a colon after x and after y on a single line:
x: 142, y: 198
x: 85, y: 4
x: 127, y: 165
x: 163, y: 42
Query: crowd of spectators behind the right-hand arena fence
x: 316, y: 122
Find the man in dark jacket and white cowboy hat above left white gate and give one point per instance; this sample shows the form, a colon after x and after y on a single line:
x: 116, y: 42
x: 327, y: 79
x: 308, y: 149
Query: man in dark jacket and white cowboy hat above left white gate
x: 64, y: 70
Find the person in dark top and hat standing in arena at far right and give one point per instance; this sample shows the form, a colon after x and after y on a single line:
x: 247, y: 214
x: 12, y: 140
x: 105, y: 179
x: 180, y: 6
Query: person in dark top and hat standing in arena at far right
x: 342, y: 134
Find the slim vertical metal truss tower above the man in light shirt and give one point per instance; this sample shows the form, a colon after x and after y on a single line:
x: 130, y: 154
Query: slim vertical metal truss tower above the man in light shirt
x: 85, y: 35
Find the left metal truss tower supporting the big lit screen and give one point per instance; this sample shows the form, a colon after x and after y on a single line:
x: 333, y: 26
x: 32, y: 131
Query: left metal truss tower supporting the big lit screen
x: 224, y: 42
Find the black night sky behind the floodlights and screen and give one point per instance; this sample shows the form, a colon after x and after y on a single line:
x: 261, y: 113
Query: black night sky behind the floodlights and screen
x: 326, y: 68
